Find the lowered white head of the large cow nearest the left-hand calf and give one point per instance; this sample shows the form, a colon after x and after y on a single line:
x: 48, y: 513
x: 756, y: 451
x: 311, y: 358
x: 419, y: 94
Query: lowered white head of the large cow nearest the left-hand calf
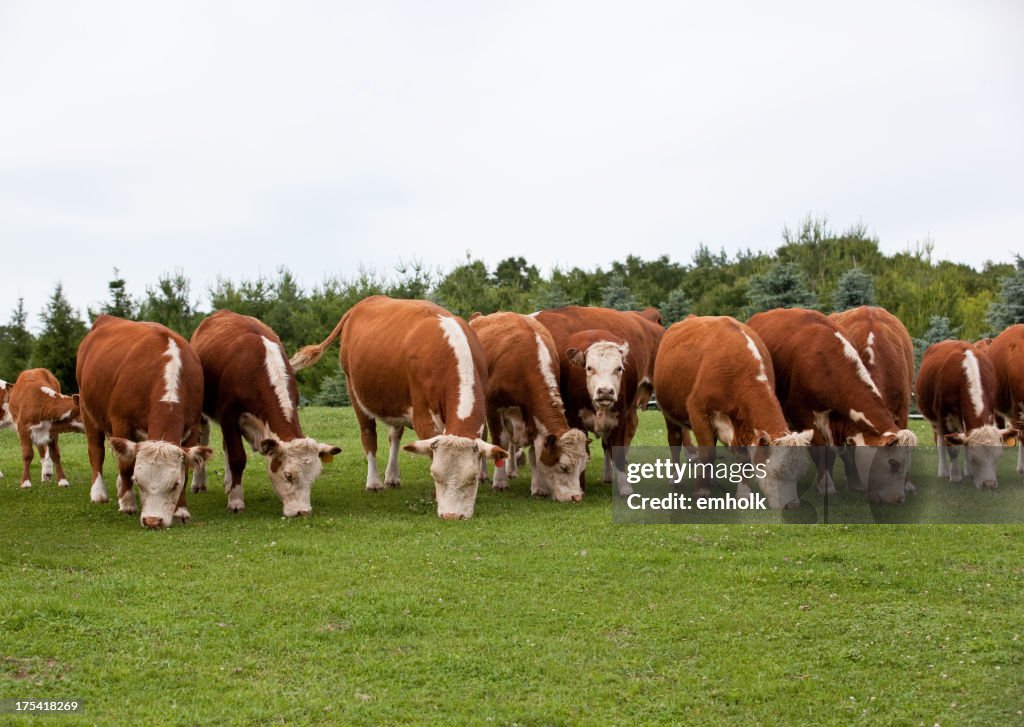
x: 159, y: 468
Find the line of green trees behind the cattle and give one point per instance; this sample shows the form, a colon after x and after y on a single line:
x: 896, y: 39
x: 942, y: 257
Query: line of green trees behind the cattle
x: 815, y: 268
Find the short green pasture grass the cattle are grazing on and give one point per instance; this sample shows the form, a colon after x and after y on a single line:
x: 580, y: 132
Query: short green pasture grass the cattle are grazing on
x: 375, y: 612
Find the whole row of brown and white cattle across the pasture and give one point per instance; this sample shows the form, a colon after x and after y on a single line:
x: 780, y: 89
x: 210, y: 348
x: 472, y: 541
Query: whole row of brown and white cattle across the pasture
x: 772, y: 389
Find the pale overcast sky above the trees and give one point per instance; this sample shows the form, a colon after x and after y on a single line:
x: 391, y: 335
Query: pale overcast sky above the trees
x: 232, y: 139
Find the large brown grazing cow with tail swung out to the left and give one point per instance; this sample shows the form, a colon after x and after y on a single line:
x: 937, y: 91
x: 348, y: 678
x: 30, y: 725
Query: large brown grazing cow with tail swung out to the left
x: 413, y: 364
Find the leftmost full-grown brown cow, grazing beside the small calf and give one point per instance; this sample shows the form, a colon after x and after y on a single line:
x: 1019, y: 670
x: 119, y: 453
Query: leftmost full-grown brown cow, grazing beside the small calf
x: 141, y: 384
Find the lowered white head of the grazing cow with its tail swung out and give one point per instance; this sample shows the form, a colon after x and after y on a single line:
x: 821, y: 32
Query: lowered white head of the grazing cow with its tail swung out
x: 455, y: 465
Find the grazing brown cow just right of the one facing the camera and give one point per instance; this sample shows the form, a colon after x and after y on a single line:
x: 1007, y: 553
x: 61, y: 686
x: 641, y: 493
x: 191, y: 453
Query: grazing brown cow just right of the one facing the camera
x: 714, y: 376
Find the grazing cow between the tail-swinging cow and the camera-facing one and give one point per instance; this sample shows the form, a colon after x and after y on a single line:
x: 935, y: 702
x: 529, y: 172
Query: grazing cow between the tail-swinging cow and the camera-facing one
x: 525, y: 405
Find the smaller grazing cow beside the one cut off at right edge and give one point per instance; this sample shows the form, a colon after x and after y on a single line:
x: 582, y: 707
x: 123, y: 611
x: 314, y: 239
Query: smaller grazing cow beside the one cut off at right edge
x: 957, y: 394
